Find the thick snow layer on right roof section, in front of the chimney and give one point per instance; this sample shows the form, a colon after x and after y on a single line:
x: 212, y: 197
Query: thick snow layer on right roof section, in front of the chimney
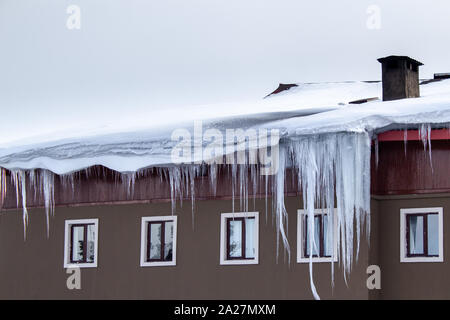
x: 432, y: 107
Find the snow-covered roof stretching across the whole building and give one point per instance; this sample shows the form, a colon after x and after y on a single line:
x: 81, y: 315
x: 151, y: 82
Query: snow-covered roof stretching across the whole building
x: 128, y: 142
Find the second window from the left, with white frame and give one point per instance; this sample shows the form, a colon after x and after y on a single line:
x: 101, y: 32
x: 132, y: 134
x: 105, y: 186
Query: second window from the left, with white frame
x: 158, y: 241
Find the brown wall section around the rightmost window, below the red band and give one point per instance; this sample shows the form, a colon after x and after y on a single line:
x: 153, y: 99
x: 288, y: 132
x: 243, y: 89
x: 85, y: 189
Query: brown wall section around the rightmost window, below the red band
x: 424, y: 280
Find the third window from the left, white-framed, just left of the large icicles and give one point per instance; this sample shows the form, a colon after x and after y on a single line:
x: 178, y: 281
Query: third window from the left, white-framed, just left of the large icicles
x: 239, y: 238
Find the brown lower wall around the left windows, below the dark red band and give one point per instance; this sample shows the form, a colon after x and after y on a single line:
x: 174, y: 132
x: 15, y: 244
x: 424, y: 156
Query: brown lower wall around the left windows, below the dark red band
x: 33, y: 269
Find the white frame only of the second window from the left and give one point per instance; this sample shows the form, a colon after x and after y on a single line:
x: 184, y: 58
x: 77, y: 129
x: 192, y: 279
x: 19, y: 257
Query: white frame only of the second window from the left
x: 144, y: 243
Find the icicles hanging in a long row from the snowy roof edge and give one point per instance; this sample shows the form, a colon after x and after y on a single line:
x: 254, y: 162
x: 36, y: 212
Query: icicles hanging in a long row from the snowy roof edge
x: 333, y: 173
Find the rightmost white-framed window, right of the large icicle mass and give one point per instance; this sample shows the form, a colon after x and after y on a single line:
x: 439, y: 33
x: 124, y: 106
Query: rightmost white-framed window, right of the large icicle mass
x: 421, y: 232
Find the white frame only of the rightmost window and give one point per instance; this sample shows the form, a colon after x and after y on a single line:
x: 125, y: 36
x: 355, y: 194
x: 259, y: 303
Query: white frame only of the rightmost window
x: 403, y: 242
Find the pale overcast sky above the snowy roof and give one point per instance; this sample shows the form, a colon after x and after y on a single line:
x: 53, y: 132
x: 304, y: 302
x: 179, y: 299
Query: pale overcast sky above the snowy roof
x: 143, y: 54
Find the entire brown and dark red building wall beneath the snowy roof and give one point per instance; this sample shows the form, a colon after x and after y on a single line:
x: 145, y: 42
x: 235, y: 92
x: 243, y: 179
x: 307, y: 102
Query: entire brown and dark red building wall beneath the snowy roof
x: 34, y: 268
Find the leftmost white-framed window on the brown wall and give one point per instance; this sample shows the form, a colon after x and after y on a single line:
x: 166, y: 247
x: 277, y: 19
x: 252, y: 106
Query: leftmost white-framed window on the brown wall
x: 81, y: 243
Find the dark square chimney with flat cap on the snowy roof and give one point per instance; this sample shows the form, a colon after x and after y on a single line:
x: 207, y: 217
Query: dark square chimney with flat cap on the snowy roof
x: 400, y: 77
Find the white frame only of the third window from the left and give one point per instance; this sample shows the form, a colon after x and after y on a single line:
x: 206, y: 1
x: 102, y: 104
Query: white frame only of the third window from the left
x: 223, y: 239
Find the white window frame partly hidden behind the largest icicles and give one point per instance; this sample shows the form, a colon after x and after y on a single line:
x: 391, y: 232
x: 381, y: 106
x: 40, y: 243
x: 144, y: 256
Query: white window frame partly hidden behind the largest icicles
x: 302, y: 259
